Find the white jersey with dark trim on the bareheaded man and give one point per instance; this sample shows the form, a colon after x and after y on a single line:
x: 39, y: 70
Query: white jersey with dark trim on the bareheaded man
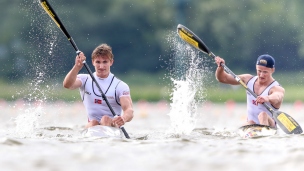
x: 95, y: 106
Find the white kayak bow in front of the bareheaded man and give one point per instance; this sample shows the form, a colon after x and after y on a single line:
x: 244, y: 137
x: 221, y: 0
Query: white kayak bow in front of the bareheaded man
x: 102, y: 131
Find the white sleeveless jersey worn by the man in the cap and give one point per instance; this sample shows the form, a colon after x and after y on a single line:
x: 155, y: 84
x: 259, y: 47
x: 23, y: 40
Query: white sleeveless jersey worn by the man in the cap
x: 254, y: 110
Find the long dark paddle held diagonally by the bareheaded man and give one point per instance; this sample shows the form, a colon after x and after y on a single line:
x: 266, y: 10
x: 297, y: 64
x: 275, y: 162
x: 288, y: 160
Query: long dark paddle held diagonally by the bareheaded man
x: 49, y: 10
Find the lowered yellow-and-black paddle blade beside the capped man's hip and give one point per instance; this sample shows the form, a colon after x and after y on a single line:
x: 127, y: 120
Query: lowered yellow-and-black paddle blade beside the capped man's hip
x: 287, y: 123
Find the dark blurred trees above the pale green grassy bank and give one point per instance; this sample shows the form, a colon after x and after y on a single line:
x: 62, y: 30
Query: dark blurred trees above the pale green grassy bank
x: 239, y: 31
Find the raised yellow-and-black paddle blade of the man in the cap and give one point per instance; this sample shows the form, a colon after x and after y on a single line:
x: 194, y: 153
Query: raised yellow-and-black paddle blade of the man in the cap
x: 189, y: 37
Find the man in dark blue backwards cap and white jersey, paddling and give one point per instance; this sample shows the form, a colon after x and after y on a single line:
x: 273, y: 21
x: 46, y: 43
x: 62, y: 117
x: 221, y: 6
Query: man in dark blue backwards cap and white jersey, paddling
x: 263, y: 84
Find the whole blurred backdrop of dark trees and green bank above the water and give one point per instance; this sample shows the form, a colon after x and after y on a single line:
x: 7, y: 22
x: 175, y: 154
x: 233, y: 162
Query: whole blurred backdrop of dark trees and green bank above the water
x: 35, y: 56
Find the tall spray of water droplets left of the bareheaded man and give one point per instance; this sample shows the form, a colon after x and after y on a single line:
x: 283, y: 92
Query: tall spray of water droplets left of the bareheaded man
x: 41, y: 61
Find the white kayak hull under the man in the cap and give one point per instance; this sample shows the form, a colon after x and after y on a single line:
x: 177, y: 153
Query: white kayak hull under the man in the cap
x: 256, y: 130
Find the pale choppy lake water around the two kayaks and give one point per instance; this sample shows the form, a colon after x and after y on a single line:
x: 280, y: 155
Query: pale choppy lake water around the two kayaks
x: 47, y: 137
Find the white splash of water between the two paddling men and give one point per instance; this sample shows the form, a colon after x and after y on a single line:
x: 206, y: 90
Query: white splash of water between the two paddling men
x: 187, y: 71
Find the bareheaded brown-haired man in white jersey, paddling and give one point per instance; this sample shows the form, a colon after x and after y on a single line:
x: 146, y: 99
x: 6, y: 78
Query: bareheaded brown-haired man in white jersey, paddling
x: 116, y: 91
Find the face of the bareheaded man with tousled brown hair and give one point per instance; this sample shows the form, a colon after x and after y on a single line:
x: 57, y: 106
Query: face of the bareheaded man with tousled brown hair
x: 102, y: 66
